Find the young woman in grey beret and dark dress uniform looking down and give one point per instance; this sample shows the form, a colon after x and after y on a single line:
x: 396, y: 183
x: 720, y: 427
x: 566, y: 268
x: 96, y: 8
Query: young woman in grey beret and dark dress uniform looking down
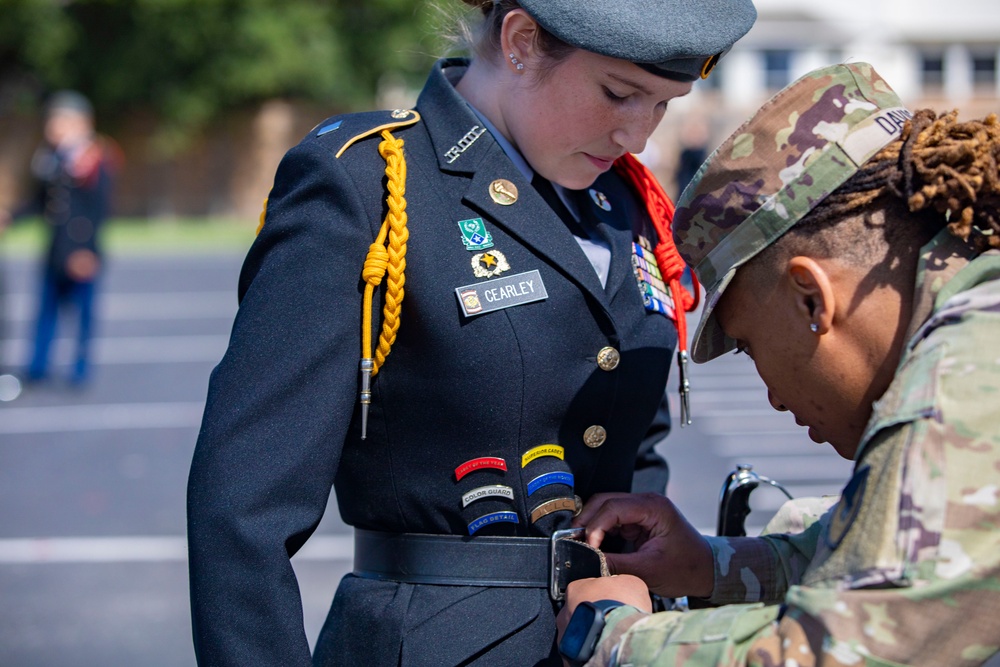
x: 526, y: 367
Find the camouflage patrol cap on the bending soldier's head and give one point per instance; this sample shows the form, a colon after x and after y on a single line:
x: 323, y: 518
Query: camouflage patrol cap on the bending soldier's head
x: 802, y: 145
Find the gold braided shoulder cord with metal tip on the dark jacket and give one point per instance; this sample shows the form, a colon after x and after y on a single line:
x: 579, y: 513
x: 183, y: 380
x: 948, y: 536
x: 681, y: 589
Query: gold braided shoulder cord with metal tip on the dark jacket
x: 380, y: 260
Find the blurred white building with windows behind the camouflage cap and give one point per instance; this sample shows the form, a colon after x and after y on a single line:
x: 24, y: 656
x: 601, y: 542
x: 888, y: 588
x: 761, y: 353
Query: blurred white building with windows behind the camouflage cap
x: 941, y: 55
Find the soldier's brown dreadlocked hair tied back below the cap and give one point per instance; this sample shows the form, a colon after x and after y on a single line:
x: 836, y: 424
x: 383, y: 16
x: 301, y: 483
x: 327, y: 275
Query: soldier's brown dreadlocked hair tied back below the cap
x: 937, y: 165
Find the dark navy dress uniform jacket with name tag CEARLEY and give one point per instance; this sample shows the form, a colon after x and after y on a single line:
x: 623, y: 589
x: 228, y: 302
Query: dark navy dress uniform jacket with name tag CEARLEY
x: 282, y: 421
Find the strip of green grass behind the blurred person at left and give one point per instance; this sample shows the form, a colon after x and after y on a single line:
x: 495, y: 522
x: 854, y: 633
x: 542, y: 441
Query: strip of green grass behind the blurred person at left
x: 134, y: 236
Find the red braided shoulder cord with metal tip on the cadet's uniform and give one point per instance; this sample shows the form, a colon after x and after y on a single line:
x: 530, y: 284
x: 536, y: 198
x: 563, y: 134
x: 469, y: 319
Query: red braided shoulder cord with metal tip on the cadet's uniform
x: 671, y: 264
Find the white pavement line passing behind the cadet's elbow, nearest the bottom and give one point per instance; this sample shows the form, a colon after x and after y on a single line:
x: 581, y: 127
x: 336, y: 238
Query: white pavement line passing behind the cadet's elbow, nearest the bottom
x: 143, y: 549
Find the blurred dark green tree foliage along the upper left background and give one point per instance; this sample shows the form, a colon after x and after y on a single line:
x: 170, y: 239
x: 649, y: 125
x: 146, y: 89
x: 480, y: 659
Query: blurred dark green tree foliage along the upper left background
x: 187, y: 62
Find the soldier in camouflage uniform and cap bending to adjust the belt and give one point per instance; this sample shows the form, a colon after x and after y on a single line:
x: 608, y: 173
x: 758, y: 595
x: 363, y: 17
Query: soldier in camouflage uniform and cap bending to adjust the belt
x: 849, y: 248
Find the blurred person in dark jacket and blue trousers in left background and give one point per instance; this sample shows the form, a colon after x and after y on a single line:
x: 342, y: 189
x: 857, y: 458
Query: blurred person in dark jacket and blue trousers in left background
x: 73, y: 172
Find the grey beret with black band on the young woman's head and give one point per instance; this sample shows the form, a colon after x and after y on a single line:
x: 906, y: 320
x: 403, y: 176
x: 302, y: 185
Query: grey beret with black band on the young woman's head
x: 677, y: 39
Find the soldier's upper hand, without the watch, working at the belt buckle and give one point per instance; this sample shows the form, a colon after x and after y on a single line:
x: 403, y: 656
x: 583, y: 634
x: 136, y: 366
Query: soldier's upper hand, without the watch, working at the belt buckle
x: 671, y: 556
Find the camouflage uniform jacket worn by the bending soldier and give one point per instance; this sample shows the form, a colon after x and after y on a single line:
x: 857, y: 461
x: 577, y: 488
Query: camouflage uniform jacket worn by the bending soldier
x: 905, y: 568
